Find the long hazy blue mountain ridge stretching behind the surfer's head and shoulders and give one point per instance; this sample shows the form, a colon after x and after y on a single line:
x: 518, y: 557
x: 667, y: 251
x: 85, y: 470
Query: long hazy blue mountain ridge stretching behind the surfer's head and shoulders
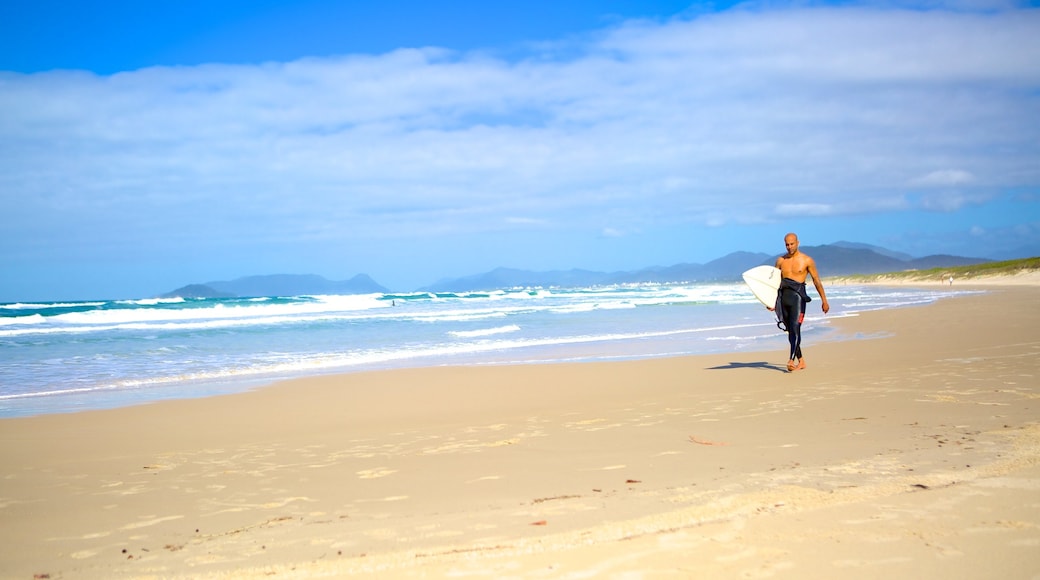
x: 838, y: 259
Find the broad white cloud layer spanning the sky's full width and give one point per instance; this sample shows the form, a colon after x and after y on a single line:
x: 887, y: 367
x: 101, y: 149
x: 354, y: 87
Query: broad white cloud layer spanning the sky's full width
x: 742, y: 117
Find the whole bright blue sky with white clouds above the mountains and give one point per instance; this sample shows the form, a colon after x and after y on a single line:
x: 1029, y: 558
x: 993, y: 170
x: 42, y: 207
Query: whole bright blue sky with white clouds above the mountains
x: 145, y: 146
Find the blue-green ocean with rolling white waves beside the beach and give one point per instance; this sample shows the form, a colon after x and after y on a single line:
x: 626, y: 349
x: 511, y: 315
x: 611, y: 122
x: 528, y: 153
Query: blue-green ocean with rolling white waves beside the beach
x: 68, y: 357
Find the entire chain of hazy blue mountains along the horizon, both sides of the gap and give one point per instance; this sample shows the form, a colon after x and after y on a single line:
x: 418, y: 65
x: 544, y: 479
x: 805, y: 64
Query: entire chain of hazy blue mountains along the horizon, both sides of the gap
x: 836, y: 259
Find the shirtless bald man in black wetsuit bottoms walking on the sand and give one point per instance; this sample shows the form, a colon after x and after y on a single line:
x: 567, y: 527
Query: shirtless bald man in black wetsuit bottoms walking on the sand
x: 792, y: 300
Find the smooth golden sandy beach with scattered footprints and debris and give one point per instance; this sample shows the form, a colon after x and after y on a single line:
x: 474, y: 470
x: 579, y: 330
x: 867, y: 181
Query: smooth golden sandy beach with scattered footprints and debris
x: 912, y: 451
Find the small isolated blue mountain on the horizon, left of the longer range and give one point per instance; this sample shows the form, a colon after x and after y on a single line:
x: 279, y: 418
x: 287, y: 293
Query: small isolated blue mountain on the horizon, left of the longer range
x: 280, y: 285
